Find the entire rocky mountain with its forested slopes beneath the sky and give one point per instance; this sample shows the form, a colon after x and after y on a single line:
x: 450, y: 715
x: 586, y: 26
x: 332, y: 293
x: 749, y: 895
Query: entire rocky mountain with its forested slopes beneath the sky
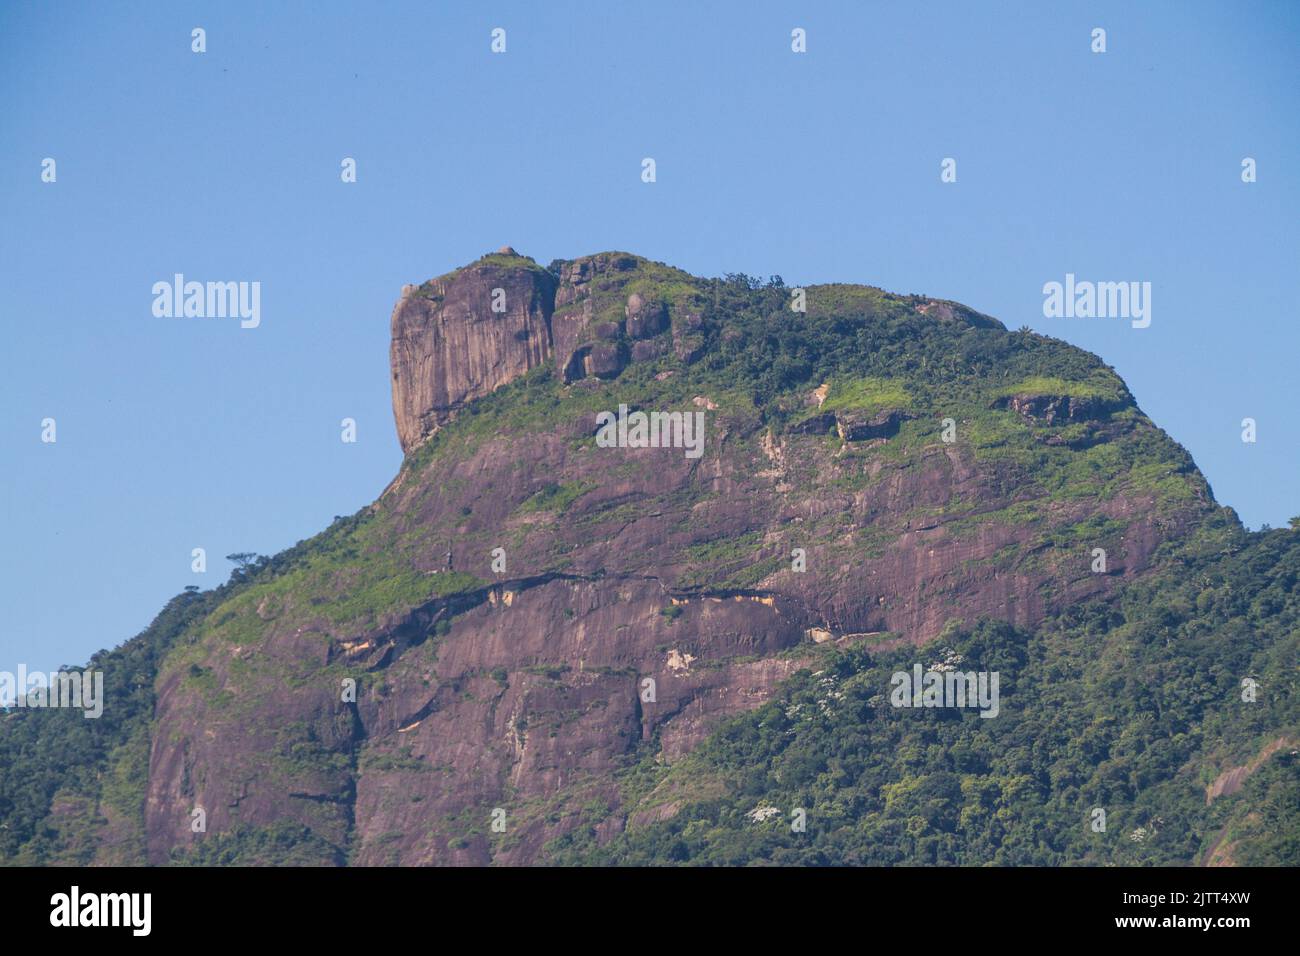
x: 570, y: 648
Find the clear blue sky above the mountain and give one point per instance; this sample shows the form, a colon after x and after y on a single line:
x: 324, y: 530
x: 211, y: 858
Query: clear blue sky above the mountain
x: 822, y: 167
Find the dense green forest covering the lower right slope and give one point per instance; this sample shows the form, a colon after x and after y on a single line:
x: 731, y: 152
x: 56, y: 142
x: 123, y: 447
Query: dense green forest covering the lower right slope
x: 1134, y: 707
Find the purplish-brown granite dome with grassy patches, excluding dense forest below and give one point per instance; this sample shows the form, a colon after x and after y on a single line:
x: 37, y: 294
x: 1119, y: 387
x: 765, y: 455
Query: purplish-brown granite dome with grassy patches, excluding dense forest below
x: 523, y: 613
